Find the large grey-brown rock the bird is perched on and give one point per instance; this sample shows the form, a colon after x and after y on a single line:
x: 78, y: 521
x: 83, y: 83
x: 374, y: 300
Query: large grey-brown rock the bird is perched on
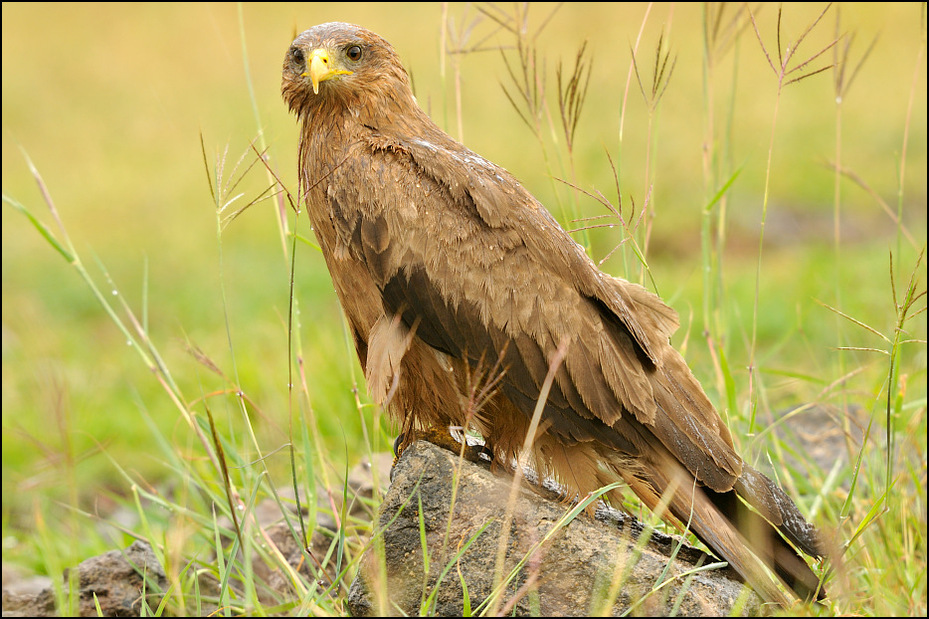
x: 558, y: 570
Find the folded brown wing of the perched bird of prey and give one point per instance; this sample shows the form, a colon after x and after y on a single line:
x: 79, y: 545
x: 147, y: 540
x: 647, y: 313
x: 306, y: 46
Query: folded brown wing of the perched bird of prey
x: 462, y: 251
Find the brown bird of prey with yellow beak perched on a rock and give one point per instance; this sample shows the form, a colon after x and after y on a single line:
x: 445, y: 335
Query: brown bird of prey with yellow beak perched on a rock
x: 450, y: 272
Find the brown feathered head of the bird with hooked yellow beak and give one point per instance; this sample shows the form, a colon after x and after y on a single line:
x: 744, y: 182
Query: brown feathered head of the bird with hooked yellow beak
x: 339, y: 65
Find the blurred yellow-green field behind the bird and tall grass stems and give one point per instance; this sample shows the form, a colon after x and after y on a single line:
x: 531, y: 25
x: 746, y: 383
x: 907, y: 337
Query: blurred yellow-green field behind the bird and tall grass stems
x: 111, y: 101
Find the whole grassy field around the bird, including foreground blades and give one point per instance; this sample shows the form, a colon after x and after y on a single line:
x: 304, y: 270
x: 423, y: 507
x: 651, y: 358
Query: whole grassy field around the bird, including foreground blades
x: 113, y: 119
